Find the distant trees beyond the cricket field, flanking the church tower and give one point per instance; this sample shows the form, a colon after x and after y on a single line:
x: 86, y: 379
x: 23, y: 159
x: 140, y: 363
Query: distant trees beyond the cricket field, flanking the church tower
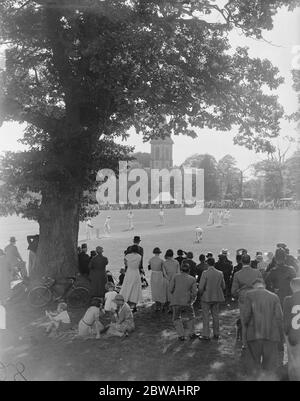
x: 275, y: 177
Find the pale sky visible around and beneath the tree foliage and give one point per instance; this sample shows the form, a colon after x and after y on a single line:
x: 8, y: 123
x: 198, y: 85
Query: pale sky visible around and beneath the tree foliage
x: 285, y: 36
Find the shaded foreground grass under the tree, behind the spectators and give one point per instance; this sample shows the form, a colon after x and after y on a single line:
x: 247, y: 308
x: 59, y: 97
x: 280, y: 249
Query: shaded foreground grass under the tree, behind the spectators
x: 151, y: 352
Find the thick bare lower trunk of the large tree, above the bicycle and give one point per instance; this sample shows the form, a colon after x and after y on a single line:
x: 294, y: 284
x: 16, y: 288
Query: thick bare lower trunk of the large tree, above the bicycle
x: 59, y: 225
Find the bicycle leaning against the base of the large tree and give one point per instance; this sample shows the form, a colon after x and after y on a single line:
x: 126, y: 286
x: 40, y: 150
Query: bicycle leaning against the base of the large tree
x: 75, y: 296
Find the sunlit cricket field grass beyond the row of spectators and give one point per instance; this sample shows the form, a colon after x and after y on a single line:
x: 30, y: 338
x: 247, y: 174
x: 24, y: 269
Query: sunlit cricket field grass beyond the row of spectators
x: 255, y: 230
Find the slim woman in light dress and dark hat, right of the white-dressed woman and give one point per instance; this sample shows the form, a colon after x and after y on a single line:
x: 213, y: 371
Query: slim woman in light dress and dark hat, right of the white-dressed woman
x: 158, y: 282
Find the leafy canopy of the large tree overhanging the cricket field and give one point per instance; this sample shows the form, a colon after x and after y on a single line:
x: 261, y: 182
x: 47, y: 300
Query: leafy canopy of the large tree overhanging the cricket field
x: 81, y: 73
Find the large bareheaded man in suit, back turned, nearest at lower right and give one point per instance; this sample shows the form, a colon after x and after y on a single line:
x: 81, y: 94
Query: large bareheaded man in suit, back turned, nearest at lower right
x: 263, y: 320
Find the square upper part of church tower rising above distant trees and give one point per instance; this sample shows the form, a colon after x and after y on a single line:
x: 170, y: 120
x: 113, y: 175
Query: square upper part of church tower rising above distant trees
x: 161, y: 153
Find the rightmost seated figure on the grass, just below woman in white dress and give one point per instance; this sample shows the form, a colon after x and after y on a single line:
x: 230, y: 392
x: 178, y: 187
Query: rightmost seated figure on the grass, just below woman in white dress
x: 122, y: 320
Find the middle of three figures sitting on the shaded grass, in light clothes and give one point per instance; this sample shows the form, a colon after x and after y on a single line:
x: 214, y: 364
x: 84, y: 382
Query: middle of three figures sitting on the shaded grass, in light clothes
x: 90, y: 325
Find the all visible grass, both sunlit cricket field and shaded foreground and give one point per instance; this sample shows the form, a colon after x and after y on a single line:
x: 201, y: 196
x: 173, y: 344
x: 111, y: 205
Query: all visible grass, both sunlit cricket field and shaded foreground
x: 152, y: 352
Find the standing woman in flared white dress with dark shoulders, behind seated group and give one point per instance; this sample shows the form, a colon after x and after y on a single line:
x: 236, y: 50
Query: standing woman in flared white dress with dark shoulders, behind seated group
x: 132, y: 286
